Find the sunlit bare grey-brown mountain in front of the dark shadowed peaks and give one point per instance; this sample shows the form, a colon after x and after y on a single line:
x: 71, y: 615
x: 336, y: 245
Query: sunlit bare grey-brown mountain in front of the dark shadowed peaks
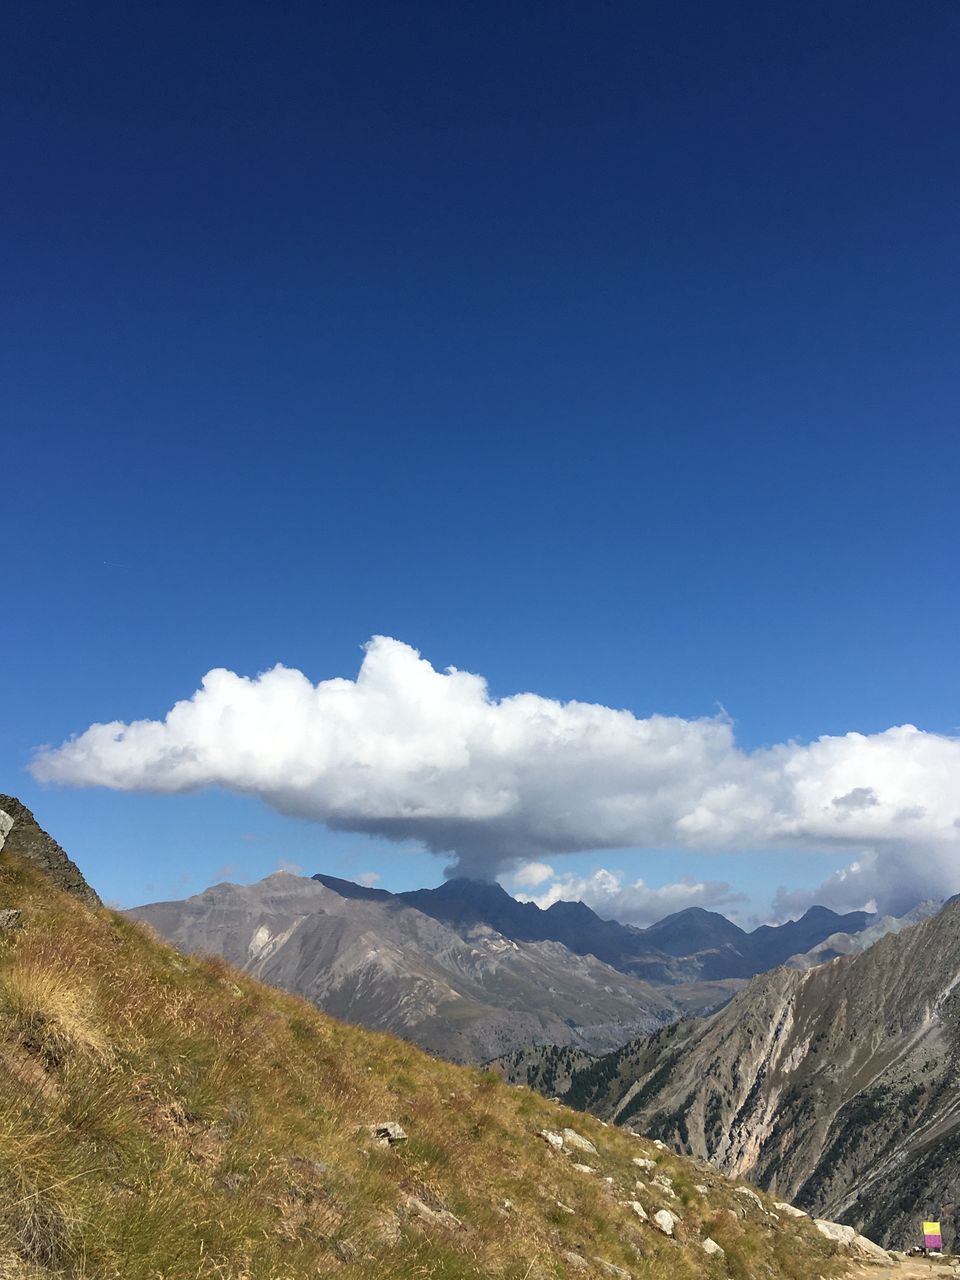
x: 467, y: 994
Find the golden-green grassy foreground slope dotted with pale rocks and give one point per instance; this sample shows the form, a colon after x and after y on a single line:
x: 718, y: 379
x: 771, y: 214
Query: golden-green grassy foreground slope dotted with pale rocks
x: 166, y: 1118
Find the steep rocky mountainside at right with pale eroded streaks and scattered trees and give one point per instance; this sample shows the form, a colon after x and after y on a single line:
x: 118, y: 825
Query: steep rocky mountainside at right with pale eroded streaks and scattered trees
x: 834, y: 1087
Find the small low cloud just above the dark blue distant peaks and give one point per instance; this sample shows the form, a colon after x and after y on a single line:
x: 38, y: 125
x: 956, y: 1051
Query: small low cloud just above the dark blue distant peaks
x: 637, y: 903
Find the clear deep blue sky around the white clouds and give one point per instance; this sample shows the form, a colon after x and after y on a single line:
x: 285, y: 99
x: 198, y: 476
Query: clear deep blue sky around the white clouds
x: 609, y: 353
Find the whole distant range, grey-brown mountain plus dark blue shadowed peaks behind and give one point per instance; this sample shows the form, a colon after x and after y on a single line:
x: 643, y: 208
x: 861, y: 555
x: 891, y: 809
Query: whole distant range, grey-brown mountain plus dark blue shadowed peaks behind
x: 468, y: 972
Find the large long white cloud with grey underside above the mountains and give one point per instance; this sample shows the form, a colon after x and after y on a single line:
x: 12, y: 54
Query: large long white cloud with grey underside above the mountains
x: 413, y: 753
